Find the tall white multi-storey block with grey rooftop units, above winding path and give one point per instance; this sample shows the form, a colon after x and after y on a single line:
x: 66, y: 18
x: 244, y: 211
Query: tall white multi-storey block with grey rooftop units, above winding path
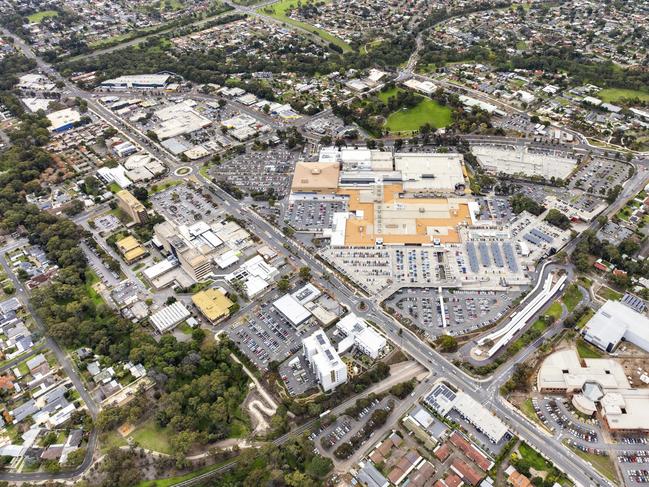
x: 325, y: 362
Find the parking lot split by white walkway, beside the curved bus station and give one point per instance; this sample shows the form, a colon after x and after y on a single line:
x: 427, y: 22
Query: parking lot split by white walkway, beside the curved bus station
x: 464, y: 311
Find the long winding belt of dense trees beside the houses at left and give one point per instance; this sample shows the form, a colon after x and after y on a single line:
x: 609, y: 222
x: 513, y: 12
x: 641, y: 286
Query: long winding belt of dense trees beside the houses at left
x: 201, y: 386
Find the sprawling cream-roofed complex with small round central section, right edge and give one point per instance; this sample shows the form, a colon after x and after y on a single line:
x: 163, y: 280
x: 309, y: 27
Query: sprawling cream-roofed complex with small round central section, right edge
x: 593, y: 384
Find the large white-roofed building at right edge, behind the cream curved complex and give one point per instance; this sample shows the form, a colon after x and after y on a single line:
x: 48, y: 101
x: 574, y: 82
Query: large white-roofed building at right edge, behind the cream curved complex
x: 615, y: 322
